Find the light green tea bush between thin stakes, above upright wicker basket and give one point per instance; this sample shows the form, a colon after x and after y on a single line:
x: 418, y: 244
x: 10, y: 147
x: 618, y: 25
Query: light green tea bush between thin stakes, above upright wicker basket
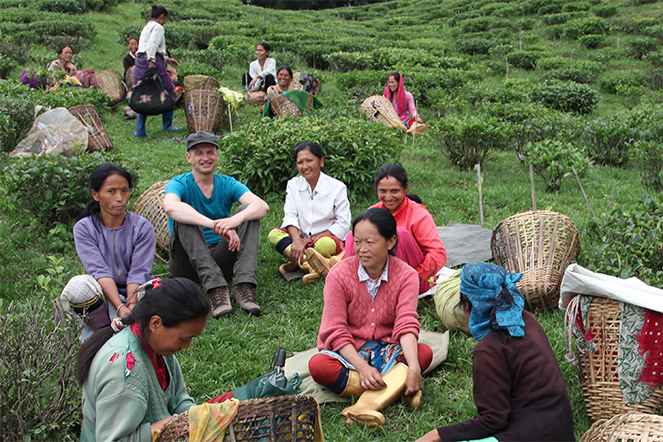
x: 552, y: 160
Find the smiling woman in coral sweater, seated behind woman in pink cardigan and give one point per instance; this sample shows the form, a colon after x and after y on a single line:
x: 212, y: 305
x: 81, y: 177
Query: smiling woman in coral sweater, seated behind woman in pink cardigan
x: 419, y: 242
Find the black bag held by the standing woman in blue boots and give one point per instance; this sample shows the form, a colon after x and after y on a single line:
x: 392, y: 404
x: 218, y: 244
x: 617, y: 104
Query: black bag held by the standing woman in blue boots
x: 149, y: 97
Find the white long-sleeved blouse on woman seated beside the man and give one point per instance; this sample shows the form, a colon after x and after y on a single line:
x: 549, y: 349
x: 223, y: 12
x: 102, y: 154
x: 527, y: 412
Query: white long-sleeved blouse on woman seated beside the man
x: 312, y: 212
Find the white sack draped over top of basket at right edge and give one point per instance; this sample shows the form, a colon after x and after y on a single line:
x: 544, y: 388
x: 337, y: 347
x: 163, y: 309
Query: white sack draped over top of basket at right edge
x: 579, y: 280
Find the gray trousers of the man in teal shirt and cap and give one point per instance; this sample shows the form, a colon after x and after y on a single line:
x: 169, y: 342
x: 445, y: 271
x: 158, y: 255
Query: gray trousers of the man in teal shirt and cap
x: 213, y: 265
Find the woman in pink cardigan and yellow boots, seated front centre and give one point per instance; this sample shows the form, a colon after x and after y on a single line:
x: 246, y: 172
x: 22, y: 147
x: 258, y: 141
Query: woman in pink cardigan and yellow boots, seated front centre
x: 370, y: 326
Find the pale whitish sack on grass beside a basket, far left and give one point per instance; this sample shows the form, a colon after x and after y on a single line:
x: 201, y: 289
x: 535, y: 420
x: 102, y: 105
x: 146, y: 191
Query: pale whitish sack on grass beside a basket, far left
x: 53, y: 132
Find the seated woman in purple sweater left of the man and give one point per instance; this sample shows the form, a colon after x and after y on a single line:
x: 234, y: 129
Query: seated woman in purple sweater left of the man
x: 116, y: 248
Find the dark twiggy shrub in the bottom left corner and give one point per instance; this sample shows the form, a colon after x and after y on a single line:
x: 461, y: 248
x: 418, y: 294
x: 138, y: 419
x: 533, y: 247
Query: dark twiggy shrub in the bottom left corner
x: 40, y: 395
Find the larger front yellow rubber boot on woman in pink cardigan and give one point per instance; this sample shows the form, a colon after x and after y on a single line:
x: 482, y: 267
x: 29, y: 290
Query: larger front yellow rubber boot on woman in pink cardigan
x: 366, y: 411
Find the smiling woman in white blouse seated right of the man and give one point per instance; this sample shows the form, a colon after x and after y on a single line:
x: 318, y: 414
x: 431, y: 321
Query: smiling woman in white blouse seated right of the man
x: 317, y: 214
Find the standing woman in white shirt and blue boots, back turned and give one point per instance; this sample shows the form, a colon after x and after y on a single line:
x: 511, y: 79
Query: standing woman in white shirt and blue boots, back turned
x: 152, y: 52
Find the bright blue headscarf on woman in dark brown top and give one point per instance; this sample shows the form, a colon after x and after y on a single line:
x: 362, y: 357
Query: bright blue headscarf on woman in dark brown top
x: 482, y: 283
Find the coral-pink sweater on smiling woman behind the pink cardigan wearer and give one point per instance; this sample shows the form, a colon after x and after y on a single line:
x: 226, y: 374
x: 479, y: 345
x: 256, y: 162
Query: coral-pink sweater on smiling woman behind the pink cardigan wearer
x: 415, y: 218
